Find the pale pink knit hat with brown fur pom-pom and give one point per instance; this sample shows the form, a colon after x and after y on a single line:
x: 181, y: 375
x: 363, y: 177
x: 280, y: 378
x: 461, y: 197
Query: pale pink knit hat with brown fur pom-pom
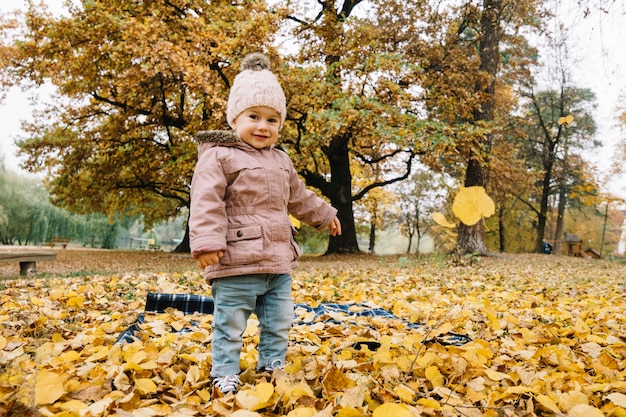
x: 255, y: 85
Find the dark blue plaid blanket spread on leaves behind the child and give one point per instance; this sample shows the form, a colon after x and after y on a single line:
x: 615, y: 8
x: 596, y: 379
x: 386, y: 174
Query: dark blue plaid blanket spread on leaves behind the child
x: 191, y: 303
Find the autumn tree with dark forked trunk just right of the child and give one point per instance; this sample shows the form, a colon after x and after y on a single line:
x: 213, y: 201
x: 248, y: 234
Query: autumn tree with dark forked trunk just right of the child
x: 358, y: 105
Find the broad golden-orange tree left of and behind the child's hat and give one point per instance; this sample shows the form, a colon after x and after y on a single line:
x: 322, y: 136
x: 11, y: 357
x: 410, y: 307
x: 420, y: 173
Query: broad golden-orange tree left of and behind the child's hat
x: 135, y: 82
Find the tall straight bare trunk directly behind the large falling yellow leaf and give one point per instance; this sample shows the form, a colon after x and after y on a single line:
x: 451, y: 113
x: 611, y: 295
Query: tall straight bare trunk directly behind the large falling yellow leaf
x: 471, y: 239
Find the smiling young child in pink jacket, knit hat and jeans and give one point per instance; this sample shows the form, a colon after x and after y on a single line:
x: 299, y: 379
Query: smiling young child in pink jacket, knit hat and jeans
x: 242, y: 193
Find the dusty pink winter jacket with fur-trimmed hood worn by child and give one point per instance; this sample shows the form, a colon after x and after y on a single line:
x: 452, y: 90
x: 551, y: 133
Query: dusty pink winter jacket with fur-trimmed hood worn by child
x: 240, y: 201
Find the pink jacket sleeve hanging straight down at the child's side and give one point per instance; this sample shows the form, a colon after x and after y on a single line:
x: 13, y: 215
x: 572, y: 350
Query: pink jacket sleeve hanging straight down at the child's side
x: 207, y: 215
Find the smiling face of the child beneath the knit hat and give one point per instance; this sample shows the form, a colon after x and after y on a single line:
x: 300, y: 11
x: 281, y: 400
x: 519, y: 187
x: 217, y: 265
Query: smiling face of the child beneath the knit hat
x: 258, y: 126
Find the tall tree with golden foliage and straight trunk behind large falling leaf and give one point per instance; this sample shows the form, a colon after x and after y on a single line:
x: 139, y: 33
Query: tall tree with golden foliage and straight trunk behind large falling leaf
x: 463, y: 78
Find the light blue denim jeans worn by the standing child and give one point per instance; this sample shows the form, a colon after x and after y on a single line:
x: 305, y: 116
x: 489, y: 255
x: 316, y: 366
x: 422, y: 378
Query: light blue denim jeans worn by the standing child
x: 236, y: 298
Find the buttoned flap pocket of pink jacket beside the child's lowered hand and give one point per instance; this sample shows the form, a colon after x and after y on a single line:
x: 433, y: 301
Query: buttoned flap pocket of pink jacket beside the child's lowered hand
x: 244, y: 245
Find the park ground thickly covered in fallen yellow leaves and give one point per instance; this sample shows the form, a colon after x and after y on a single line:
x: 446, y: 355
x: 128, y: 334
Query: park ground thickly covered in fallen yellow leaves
x: 548, y: 337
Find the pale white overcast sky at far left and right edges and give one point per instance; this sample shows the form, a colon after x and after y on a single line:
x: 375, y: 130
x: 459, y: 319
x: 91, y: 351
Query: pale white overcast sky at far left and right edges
x: 596, y: 44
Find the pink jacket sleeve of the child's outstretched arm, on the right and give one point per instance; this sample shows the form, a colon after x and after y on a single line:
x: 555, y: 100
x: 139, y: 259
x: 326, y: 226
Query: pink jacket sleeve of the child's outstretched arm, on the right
x: 306, y: 206
